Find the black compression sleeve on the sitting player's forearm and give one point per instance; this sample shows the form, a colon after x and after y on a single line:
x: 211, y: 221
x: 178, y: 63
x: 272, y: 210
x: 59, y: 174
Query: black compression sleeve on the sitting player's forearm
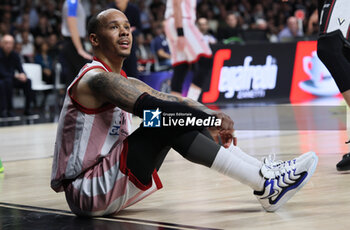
x: 146, y: 101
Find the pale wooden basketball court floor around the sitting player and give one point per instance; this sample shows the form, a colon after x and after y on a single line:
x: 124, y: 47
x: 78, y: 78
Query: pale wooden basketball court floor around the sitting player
x: 193, y: 197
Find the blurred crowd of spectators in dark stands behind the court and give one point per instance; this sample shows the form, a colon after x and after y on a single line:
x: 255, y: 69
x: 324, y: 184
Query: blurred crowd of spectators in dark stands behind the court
x: 36, y: 24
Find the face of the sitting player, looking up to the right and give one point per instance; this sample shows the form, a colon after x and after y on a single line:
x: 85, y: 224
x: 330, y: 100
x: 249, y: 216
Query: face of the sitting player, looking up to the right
x: 116, y: 33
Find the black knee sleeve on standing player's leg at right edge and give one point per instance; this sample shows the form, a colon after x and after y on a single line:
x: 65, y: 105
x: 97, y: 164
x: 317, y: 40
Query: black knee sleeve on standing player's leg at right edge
x: 330, y: 49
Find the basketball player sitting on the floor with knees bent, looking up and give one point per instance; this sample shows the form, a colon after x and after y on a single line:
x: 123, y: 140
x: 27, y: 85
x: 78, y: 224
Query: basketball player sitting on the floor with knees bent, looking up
x: 102, y: 168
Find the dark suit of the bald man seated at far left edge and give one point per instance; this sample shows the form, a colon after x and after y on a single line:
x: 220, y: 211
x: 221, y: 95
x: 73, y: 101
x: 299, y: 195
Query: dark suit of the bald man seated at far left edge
x: 8, y: 66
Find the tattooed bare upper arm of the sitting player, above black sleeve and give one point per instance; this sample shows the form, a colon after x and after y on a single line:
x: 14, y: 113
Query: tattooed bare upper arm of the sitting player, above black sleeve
x: 113, y: 88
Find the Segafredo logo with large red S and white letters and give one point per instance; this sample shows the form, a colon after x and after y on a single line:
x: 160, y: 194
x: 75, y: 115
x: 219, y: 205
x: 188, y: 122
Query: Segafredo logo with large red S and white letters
x: 242, y: 81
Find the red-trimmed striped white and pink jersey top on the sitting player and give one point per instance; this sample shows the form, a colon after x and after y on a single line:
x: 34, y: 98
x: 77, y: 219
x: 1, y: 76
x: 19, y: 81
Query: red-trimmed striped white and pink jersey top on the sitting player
x: 85, y: 135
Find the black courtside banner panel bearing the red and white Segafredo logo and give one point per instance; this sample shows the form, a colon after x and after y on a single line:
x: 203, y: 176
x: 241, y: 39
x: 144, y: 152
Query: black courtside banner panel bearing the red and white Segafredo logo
x: 254, y: 71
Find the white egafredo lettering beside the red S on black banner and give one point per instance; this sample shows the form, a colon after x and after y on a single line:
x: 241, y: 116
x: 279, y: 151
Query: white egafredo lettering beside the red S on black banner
x: 249, y: 81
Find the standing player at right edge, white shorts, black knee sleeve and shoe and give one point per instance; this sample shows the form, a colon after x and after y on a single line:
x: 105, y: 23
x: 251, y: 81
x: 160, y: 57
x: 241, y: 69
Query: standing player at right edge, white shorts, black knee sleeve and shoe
x: 332, y: 50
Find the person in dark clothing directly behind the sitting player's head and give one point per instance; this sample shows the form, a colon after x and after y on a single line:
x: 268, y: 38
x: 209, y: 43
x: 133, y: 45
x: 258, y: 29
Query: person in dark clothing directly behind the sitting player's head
x: 132, y: 12
